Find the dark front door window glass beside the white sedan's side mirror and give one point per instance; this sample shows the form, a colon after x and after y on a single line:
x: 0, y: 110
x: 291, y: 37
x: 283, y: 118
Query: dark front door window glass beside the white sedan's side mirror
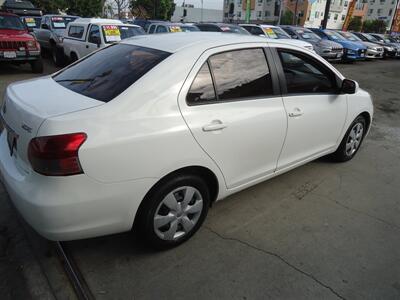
x: 305, y: 75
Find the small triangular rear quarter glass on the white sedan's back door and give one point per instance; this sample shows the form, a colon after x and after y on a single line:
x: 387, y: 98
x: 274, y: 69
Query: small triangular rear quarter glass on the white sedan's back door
x: 202, y: 89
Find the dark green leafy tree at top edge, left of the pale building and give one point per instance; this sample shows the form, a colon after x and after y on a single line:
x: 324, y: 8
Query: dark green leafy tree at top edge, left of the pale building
x: 155, y: 9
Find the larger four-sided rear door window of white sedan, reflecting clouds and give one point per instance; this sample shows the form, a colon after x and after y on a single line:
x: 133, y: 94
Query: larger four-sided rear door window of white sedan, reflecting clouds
x: 241, y: 74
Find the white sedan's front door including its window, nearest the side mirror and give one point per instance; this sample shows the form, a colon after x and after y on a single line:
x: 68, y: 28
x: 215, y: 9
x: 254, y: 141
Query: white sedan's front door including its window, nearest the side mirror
x: 316, y: 110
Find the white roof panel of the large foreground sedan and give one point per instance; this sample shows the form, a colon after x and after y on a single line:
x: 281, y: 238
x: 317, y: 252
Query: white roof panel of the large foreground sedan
x: 177, y: 41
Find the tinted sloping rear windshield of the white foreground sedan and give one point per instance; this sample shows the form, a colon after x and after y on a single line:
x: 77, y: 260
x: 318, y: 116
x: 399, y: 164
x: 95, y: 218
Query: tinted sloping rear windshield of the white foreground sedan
x: 110, y: 71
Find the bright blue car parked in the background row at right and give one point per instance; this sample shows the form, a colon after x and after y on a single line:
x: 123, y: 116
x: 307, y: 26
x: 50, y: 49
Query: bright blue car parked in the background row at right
x: 352, y: 50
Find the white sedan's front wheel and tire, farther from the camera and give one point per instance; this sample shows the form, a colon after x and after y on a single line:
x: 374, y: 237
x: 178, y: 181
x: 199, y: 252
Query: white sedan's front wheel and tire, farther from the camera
x: 351, y: 141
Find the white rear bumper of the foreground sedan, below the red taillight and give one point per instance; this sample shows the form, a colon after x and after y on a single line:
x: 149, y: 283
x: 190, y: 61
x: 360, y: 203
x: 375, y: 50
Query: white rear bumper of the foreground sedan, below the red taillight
x: 72, y: 207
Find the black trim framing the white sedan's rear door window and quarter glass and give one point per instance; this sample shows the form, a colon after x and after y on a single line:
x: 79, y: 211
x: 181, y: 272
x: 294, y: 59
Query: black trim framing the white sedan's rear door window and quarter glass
x: 271, y: 66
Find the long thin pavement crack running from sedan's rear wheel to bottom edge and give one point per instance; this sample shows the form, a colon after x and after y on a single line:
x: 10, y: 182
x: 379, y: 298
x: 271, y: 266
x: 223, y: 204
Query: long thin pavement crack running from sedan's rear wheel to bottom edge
x: 311, y: 276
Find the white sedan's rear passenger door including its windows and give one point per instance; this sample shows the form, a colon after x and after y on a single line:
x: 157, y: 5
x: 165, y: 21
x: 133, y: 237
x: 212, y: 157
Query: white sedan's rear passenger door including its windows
x: 232, y: 106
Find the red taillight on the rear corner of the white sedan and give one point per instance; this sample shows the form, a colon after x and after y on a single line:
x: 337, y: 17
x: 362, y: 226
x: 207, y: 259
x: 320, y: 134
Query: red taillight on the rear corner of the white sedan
x: 56, y: 155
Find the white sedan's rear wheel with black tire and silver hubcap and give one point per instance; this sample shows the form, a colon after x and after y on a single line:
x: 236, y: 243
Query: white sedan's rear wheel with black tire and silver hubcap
x: 173, y: 211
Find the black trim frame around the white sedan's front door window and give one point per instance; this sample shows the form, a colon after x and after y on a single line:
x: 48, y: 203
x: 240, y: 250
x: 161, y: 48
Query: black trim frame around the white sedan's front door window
x: 282, y: 78
